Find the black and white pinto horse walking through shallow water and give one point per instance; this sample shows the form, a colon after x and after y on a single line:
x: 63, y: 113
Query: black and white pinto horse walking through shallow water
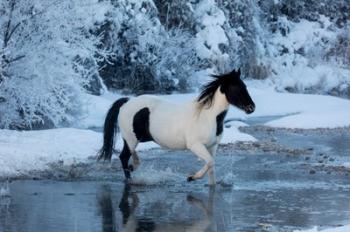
x: 196, y: 125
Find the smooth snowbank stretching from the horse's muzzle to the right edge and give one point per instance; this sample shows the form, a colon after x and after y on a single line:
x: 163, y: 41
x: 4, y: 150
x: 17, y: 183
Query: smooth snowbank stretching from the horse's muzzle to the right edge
x: 303, y: 110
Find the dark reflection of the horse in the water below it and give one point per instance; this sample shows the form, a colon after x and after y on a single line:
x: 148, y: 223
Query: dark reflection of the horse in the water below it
x: 131, y: 222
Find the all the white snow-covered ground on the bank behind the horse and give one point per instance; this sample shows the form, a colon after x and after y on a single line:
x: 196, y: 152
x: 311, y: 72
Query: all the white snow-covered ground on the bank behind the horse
x: 21, y: 152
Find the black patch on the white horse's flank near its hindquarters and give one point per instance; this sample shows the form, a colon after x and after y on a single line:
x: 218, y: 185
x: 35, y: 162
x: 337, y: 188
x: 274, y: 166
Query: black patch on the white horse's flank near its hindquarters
x: 141, y: 125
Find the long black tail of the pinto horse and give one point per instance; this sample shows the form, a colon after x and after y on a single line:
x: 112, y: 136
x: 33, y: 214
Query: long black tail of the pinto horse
x: 110, y: 129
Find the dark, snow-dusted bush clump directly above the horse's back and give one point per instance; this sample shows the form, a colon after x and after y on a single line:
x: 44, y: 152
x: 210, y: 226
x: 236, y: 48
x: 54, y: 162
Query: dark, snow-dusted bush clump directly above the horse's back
x: 147, y: 57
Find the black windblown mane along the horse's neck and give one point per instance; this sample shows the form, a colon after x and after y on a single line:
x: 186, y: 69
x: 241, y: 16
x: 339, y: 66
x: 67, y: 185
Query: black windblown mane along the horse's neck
x: 208, y: 90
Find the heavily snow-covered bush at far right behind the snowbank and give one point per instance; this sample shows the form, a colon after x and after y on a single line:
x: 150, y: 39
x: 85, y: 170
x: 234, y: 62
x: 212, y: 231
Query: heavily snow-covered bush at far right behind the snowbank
x: 304, y: 58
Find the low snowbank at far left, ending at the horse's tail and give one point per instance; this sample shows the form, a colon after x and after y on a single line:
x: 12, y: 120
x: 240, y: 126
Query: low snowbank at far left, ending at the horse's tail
x: 21, y: 152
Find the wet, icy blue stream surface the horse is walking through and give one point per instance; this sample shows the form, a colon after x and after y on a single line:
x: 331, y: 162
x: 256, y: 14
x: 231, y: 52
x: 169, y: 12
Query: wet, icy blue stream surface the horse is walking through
x: 288, y: 180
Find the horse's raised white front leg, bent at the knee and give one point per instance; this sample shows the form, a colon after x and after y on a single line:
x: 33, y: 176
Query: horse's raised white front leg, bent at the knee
x: 202, y: 152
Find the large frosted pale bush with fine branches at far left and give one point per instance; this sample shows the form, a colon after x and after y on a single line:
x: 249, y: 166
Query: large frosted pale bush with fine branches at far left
x: 44, y: 47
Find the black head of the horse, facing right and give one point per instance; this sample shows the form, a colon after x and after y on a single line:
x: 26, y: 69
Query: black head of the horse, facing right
x: 236, y: 91
